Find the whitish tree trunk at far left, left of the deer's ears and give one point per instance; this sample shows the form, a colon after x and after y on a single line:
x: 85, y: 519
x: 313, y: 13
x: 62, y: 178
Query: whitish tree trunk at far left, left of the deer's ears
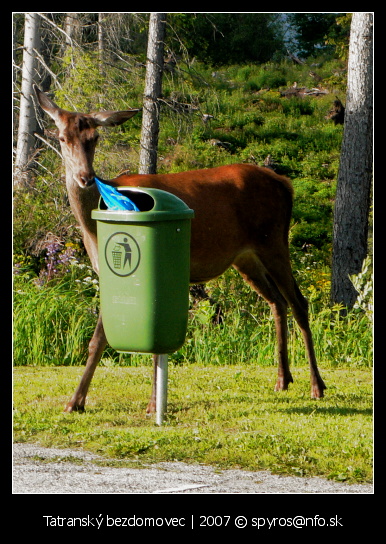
x: 27, y: 118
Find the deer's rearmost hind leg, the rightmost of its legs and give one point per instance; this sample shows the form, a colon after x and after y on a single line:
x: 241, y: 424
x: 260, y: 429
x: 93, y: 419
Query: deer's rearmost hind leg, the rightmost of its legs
x: 281, y: 271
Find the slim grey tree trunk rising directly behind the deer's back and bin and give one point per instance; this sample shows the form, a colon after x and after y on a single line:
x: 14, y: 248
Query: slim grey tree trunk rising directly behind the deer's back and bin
x: 153, y: 85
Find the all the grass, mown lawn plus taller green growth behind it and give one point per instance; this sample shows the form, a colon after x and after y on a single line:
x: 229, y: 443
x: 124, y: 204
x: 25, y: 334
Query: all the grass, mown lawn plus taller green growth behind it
x: 222, y: 409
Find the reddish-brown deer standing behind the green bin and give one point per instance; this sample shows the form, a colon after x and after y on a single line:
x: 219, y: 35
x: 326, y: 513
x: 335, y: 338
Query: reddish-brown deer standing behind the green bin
x: 242, y: 219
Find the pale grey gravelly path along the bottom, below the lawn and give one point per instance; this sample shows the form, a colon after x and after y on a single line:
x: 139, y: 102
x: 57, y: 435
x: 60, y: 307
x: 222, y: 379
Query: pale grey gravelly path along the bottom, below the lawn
x: 38, y: 470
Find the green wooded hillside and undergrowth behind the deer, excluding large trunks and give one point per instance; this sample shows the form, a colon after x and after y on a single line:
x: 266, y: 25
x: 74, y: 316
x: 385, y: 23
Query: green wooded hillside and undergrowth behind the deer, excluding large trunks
x: 253, y: 88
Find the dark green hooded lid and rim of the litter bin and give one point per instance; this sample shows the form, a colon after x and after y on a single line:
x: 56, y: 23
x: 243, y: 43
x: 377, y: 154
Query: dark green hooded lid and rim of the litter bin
x: 154, y: 205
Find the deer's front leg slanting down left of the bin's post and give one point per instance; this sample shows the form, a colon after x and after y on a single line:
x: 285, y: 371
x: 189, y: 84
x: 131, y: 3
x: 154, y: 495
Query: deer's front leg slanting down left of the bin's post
x: 95, y: 349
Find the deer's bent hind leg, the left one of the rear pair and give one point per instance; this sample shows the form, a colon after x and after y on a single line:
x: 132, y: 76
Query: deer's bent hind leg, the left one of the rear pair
x: 253, y: 271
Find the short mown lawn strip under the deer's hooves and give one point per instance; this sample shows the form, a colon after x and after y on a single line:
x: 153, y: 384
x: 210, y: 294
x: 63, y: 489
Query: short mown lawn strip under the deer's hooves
x: 228, y: 417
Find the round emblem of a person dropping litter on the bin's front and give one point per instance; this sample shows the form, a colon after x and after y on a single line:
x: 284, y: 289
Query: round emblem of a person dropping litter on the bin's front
x: 122, y: 254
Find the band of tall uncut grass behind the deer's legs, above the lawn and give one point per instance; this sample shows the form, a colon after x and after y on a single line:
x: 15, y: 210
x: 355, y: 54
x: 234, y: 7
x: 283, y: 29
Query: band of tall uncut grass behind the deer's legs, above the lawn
x: 54, y: 322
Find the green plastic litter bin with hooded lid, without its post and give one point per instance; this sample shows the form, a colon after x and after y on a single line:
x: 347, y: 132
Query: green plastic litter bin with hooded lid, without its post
x: 144, y: 270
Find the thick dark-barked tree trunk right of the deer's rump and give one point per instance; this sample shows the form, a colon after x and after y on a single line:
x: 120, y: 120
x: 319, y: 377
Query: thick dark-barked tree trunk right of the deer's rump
x: 355, y: 171
